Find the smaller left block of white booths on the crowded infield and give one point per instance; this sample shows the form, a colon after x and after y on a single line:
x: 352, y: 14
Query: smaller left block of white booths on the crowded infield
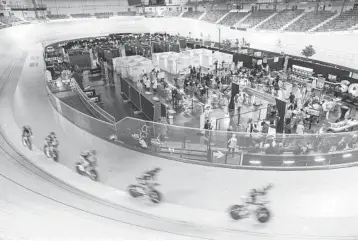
x: 132, y: 66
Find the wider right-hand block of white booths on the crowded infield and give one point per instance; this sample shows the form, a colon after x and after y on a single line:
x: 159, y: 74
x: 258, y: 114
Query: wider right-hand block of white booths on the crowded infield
x: 175, y: 63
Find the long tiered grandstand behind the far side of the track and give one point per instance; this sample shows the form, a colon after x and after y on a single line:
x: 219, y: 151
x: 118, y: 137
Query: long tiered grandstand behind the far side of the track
x: 294, y: 17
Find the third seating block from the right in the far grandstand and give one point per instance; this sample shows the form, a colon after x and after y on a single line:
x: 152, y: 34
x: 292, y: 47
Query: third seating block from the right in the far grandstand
x: 281, y: 19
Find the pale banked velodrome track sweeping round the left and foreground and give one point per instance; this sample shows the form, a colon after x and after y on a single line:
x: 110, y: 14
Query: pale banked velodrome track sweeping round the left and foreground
x: 312, y: 204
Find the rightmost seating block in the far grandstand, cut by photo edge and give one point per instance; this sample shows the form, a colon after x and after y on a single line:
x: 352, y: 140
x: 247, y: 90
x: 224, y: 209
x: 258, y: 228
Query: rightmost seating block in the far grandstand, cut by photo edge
x: 343, y: 22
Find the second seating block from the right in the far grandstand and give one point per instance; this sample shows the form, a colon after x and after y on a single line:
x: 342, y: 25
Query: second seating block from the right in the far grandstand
x: 309, y: 20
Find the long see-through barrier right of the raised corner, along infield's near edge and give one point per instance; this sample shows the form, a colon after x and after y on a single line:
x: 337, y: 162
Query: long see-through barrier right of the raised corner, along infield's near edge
x: 254, y: 150
